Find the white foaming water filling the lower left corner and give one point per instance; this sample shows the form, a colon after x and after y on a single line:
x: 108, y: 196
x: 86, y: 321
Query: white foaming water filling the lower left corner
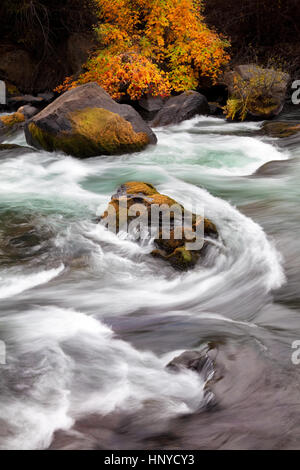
x: 70, y: 353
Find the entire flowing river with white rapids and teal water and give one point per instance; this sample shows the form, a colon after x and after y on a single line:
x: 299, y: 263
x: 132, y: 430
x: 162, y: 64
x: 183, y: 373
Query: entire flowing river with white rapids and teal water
x: 90, y: 320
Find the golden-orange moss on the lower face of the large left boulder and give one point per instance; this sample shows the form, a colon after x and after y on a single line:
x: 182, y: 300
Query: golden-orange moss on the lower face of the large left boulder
x: 94, y: 131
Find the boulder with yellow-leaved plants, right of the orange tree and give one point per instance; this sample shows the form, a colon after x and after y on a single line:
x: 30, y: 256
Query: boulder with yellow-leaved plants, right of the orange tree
x: 255, y: 92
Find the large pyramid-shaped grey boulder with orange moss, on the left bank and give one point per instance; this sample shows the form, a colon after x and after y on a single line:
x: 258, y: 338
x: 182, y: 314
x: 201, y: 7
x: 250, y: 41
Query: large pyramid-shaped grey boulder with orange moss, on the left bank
x: 86, y: 122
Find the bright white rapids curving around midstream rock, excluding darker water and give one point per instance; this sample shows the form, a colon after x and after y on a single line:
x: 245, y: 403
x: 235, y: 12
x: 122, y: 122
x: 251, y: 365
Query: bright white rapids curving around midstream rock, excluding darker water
x: 61, y: 305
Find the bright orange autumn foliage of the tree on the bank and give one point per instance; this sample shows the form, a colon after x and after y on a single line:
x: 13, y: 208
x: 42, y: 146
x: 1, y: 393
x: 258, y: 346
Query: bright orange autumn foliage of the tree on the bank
x: 152, y: 46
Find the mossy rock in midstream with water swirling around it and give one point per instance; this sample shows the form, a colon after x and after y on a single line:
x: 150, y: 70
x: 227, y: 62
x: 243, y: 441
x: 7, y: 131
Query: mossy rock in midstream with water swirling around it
x: 173, y: 248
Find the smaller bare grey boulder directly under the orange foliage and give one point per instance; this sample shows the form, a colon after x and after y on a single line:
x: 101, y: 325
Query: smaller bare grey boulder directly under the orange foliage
x: 181, y: 107
